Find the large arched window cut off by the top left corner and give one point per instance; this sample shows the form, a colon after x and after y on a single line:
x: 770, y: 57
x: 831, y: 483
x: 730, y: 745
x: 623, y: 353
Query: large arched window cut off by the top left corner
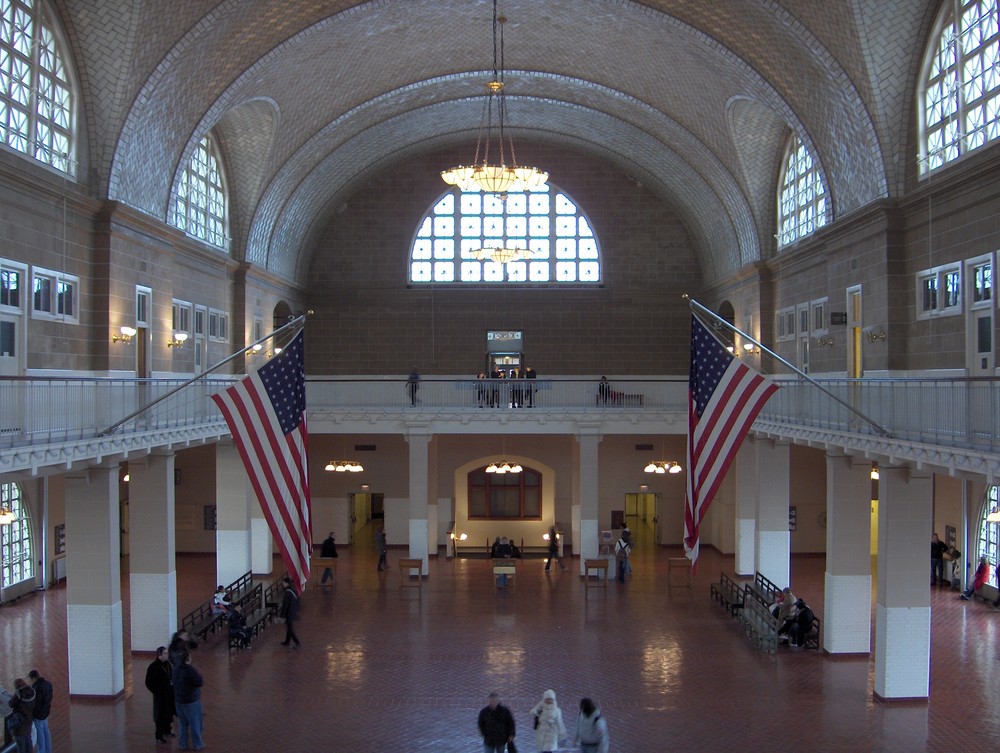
x: 36, y: 97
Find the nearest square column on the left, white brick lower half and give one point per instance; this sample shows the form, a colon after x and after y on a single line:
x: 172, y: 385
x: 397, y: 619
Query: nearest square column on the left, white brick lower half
x: 93, y: 584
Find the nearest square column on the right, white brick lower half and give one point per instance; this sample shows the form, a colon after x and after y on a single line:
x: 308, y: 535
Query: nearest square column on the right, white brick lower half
x: 903, y: 606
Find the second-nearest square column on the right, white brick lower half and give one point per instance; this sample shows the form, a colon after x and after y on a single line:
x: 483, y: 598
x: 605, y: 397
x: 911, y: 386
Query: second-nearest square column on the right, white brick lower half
x: 848, y: 587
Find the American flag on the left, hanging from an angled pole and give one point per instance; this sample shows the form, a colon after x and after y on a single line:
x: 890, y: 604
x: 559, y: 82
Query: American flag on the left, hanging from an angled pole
x: 266, y: 413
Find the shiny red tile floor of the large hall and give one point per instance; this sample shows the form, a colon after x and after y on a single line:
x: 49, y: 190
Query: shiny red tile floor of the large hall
x: 385, y: 668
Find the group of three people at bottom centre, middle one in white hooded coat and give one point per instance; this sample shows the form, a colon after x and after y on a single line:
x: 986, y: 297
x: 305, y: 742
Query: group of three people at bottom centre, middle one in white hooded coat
x: 497, y: 726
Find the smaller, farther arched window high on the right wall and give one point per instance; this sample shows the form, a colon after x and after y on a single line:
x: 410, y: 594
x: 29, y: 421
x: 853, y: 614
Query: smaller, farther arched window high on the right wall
x: 803, y: 203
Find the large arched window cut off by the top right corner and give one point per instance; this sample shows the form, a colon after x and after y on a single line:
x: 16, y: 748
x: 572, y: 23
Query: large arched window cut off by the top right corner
x: 959, y: 91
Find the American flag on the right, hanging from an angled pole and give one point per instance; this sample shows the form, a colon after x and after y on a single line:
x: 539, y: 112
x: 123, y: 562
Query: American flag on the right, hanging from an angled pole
x: 724, y: 397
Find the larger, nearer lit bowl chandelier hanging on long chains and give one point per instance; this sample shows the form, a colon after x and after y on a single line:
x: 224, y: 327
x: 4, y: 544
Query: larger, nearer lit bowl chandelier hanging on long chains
x: 499, y: 177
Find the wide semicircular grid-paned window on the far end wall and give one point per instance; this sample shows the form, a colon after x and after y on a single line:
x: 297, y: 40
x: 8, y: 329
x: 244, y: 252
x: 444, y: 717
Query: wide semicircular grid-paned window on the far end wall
x: 544, y: 221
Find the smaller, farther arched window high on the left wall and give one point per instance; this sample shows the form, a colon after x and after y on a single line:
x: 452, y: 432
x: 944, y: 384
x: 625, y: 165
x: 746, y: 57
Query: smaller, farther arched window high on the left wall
x: 200, y: 202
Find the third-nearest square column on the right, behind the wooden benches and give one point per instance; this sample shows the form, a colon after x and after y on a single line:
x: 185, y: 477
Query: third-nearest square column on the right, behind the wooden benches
x: 773, y: 538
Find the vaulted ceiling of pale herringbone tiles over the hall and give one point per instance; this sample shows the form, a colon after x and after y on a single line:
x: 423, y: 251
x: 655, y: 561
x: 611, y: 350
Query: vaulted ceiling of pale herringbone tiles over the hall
x: 309, y: 99
